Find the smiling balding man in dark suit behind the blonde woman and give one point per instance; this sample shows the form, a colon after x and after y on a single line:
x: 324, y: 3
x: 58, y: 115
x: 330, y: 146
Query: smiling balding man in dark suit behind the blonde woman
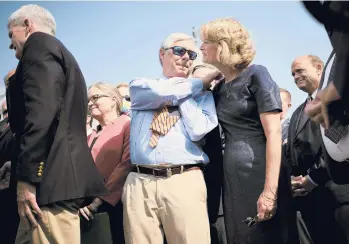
x: 309, y: 176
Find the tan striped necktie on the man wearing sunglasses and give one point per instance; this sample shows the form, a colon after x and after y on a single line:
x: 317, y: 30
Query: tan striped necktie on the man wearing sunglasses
x: 162, y: 122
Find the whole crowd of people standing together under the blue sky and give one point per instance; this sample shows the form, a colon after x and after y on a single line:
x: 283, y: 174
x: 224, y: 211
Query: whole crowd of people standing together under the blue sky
x: 206, y: 153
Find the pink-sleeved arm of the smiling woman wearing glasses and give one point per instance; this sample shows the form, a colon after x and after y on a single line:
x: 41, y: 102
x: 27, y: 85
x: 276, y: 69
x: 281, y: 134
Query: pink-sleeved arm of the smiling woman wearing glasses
x: 118, y: 177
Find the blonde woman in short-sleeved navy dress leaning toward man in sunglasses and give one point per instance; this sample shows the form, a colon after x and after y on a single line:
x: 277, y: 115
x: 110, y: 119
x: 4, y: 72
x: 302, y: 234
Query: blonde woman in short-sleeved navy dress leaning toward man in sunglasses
x: 257, y: 206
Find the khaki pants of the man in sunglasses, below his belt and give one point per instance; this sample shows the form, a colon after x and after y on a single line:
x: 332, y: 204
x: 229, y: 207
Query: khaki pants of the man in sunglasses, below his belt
x: 174, y: 205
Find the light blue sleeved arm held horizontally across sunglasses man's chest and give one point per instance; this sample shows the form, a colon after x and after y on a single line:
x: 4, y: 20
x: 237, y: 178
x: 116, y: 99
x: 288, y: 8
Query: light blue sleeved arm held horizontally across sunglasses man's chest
x: 152, y: 94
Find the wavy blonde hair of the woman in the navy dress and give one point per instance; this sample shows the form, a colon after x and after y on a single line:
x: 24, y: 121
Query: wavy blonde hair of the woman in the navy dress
x: 235, y: 47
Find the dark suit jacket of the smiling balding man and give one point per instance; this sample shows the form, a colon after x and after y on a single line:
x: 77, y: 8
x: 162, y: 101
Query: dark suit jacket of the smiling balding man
x: 303, y: 150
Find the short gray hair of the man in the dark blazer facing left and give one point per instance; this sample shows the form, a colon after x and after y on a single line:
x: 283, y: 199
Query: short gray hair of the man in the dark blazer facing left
x: 38, y: 15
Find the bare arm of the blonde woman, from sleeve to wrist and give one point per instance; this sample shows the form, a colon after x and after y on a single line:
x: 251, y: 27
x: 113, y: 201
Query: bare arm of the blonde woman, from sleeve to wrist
x: 272, y: 131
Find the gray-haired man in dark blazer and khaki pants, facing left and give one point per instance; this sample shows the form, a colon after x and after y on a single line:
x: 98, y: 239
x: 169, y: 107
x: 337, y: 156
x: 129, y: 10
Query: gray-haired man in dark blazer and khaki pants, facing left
x: 47, y: 113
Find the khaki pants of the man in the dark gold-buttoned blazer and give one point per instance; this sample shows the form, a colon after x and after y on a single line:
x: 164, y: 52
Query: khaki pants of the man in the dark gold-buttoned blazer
x: 60, y: 225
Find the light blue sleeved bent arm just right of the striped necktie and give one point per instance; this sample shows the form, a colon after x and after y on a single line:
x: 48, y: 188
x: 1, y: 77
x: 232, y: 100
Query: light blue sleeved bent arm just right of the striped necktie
x: 199, y: 115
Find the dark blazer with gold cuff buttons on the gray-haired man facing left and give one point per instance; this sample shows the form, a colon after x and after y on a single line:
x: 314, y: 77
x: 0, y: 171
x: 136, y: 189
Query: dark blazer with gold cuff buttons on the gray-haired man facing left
x: 48, y: 110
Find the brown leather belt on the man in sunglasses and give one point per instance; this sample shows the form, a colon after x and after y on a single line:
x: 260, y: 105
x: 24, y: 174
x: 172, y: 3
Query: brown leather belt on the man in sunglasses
x: 166, y: 172
